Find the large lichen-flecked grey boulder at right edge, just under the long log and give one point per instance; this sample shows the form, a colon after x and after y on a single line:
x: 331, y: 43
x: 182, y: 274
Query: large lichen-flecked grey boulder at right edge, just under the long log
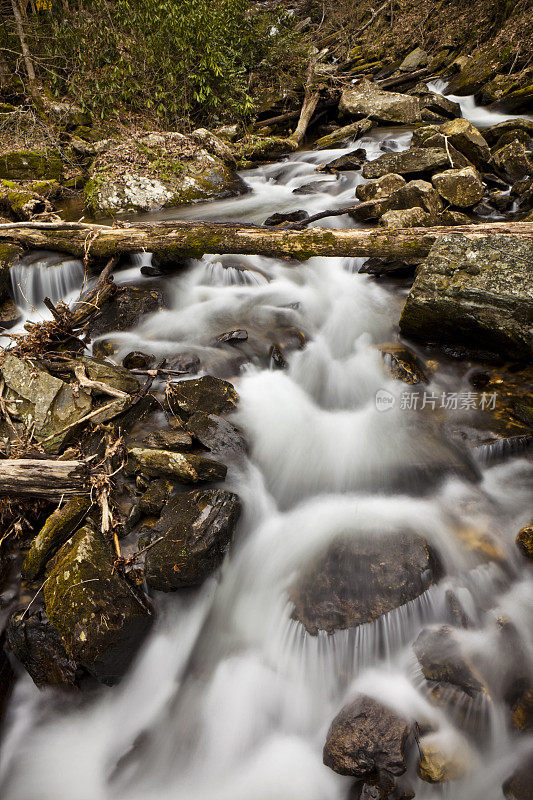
x: 474, y: 293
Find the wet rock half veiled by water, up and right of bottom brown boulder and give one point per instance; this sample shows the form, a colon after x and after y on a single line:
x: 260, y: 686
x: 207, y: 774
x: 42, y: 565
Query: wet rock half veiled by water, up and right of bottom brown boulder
x: 442, y: 659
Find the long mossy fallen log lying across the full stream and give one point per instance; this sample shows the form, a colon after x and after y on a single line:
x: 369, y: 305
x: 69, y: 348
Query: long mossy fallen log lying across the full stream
x: 176, y: 239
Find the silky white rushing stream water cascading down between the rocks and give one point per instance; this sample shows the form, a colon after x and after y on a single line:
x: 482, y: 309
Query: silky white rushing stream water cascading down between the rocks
x: 231, y: 699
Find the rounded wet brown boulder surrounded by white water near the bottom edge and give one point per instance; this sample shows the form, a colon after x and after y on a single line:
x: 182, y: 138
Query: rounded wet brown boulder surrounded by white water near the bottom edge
x: 368, y: 739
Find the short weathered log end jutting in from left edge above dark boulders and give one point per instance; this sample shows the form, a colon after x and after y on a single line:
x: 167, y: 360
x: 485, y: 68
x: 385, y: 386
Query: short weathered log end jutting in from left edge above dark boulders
x: 28, y: 477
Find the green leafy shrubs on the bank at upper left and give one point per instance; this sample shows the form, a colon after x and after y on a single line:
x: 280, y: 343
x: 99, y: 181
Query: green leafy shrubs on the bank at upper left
x: 170, y: 59
